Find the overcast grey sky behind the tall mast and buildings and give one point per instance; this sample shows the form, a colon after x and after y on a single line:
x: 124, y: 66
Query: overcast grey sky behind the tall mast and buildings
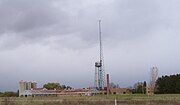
x: 57, y: 40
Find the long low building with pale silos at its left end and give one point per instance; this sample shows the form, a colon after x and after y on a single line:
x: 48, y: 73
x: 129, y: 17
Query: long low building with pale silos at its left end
x: 29, y: 89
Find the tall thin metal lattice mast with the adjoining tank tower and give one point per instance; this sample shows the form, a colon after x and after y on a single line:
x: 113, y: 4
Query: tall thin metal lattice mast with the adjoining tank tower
x: 99, y: 66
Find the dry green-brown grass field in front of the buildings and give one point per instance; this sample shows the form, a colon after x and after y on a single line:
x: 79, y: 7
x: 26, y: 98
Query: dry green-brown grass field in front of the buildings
x: 133, y: 99
